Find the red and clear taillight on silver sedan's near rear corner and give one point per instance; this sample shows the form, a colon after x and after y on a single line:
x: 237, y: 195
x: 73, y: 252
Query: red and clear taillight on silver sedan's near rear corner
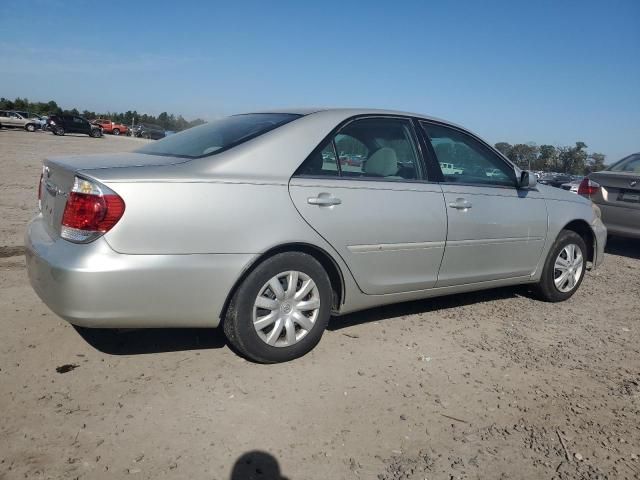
x: 91, y: 211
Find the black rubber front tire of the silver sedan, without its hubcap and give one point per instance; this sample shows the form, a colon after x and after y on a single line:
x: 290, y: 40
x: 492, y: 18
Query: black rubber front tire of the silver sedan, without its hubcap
x: 546, y: 289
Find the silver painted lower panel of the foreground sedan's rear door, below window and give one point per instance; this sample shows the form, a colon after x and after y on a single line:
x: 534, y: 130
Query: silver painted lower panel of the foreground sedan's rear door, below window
x: 391, y: 234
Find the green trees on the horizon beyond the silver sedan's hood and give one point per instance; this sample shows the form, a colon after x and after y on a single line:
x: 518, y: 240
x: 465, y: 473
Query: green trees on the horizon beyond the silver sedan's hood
x: 565, y: 159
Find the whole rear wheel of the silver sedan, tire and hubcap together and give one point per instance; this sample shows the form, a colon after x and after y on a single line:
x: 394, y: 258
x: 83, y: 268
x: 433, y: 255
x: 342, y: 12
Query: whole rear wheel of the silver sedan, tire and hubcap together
x: 280, y: 310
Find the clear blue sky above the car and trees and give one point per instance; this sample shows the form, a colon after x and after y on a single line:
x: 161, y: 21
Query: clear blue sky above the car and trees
x: 519, y: 71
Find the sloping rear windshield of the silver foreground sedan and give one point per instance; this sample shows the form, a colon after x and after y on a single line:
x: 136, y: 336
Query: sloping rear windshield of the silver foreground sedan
x: 217, y: 136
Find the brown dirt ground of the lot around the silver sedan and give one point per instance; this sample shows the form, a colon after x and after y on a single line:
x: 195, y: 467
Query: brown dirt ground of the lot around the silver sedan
x: 491, y: 385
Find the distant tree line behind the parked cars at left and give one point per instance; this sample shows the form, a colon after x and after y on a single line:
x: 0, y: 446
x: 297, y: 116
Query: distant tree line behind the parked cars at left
x: 168, y: 121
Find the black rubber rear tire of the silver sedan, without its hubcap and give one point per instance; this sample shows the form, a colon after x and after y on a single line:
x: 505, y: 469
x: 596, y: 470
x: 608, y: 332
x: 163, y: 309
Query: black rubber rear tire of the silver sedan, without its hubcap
x: 238, y: 322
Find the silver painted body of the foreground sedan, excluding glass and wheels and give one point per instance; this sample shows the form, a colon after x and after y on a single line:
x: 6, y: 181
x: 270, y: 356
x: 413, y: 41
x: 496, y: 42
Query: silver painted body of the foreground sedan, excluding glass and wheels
x: 191, y: 228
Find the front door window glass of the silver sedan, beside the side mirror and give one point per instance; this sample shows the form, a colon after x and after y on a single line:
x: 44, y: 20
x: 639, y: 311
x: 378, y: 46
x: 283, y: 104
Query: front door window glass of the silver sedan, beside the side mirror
x: 464, y: 159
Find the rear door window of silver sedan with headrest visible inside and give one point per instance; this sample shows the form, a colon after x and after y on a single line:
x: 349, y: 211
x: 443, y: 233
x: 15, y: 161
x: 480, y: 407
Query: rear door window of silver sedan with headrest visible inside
x: 369, y: 148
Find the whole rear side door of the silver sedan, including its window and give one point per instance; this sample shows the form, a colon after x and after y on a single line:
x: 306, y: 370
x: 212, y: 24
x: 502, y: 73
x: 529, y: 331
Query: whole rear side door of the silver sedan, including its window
x: 364, y: 190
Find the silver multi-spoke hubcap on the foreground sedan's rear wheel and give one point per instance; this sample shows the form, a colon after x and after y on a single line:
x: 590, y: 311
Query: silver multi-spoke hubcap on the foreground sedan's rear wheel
x: 286, y: 309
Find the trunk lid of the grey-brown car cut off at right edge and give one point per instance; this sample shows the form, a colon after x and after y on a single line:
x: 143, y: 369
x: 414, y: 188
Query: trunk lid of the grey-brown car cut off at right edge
x: 617, y: 188
